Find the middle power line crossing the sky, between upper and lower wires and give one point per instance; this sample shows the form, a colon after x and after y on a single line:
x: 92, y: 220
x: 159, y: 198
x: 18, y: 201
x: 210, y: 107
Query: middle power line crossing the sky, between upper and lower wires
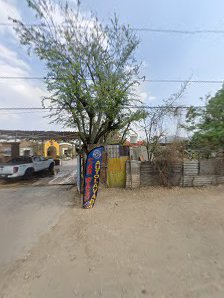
x: 143, y: 80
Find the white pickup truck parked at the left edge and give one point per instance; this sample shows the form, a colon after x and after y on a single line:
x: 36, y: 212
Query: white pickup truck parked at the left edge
x: 25, y: 166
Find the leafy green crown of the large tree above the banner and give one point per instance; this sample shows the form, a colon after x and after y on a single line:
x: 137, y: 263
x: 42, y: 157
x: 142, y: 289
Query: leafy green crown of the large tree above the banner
x: 92, y: 72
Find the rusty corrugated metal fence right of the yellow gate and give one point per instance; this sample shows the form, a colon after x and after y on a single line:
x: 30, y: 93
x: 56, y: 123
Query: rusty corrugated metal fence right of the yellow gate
x: 187, y: 173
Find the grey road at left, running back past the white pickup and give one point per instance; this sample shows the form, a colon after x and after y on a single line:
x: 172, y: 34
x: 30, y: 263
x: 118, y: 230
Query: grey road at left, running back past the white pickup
x: 28, y: 210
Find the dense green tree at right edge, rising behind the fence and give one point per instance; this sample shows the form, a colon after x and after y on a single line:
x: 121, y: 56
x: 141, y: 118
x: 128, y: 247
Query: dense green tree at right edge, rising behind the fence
x: 207, y: 124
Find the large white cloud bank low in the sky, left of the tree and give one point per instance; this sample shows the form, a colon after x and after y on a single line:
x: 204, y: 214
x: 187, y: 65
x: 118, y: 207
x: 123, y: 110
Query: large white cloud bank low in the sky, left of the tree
x: 19, y: 93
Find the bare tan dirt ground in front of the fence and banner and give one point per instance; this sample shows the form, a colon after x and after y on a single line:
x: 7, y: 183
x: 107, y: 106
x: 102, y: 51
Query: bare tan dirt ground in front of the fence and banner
x: 142, y: 243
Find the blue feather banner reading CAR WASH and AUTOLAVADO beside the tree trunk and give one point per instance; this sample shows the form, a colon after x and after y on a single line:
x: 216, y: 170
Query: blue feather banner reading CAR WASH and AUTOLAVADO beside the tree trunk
x: 92, y: 176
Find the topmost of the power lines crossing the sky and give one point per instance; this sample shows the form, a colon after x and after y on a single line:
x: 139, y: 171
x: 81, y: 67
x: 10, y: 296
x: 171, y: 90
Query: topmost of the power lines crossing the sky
x: 141, y: 29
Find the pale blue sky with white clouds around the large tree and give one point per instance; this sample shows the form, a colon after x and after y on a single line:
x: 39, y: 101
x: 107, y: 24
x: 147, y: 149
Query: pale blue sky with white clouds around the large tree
x: 164, y: 56
